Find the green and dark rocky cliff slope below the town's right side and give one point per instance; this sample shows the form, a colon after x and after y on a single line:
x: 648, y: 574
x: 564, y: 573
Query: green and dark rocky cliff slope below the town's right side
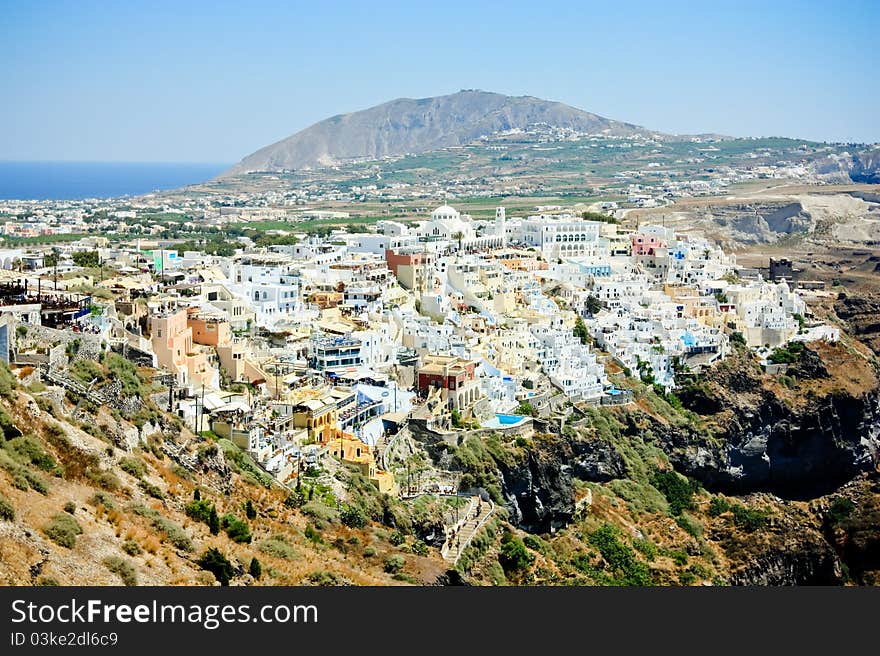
x: 742, y: 478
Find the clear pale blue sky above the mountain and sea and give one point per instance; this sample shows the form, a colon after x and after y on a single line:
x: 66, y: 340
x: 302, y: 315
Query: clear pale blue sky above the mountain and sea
x: 214, y: 81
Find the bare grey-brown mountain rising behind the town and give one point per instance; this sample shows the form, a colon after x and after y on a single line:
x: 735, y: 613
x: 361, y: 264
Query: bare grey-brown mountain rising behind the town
x: 407, y: 125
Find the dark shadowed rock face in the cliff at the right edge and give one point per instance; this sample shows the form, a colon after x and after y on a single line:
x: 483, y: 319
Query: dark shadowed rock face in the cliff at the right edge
x: 765, y: 445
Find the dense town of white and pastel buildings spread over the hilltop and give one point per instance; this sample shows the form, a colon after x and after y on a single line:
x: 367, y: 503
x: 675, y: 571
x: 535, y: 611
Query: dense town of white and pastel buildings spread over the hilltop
x: 306, y: 345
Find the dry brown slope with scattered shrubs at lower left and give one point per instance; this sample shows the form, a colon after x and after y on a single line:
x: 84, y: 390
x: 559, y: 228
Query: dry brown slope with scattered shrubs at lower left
x: 90, y: 496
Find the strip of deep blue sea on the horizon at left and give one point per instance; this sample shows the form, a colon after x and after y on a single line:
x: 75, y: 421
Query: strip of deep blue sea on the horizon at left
x: 75, y: 180
